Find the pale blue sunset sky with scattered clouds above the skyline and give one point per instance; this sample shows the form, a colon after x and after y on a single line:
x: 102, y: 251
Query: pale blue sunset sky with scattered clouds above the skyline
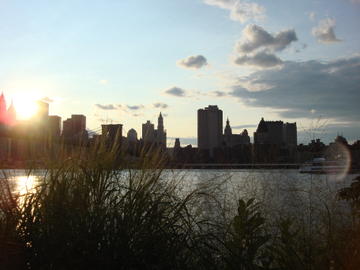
x: 125, y: 61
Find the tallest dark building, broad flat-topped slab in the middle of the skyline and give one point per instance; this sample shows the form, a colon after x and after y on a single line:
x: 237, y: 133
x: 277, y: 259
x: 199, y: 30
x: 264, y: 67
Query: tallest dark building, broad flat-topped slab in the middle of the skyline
x: 210, y: 125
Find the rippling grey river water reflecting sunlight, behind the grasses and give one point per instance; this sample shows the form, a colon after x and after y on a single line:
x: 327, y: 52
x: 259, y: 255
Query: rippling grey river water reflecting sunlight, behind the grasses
x: 280, y: 192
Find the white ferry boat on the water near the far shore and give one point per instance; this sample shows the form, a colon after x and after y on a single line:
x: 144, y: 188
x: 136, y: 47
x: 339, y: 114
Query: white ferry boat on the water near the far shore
x: 323, y: 166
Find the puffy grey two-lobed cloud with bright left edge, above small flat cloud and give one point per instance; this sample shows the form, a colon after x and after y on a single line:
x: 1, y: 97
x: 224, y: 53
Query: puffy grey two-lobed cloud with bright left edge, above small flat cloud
x: 255, y: 37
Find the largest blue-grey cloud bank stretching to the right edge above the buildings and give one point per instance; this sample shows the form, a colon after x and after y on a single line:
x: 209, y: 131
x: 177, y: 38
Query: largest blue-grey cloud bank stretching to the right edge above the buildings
x: 306, y: 89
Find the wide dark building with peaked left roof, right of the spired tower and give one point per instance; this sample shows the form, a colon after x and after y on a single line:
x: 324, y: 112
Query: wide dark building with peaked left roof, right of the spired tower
x: 276, y: 132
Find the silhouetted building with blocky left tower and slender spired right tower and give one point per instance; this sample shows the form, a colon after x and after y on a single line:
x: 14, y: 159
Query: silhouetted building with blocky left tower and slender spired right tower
x: 152, y: 135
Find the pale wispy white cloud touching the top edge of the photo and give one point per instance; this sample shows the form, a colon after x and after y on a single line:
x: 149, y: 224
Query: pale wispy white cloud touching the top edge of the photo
x: 240, y: 10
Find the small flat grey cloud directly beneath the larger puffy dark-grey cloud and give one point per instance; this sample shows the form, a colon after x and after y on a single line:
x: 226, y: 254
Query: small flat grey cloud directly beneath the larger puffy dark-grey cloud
x: 261, y: 60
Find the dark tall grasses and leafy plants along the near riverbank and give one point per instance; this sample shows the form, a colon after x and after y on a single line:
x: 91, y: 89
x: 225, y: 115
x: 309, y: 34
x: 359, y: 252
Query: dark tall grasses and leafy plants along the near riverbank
x: 90, y: 211
